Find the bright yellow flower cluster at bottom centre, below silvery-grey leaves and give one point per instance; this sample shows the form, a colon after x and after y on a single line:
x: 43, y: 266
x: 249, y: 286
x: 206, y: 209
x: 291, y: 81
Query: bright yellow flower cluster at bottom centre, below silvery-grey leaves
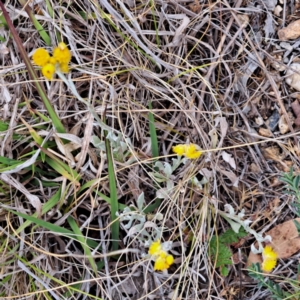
x: 162, y: 259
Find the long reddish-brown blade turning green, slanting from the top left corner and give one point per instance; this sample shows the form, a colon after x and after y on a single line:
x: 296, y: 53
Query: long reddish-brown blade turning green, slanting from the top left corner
x: 40, y: 89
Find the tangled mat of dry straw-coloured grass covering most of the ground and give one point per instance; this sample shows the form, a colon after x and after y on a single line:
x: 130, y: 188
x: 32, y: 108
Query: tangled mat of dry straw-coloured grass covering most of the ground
x: 189, y: 61
